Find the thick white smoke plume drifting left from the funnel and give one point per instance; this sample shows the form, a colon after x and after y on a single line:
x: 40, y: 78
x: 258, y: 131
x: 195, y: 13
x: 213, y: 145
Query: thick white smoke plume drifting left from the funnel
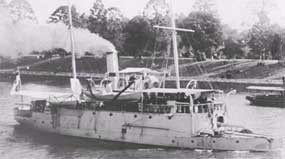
x: 21, y: 38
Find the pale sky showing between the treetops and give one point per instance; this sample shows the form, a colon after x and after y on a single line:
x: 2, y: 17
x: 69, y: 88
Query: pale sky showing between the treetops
x: 236, y: 13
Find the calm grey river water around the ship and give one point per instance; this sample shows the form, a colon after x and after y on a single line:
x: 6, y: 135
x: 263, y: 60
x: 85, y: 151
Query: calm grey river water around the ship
x: 19, y: 143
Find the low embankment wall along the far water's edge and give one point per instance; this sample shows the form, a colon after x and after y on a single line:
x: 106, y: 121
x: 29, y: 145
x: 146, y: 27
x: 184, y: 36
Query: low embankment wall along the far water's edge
x: 205, y: 83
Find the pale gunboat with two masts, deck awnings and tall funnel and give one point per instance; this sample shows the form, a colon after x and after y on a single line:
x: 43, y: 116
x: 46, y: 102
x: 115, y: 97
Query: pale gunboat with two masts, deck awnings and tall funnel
x: 168, y: 117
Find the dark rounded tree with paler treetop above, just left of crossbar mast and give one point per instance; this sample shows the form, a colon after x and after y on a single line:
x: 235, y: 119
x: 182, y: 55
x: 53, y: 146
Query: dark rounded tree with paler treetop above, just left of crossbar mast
x: 142, y: 38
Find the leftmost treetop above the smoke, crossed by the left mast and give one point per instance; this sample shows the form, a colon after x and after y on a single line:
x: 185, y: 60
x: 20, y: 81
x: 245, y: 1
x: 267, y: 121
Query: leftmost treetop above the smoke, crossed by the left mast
x: 61, y: 15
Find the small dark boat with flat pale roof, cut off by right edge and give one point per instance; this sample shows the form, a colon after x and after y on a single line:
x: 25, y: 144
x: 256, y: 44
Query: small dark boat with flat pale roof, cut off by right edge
x: 267, y: 96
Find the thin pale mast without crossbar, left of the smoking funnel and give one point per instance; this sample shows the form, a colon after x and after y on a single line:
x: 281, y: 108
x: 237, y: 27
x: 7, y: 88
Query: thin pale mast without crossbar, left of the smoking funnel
x: 71, y: 42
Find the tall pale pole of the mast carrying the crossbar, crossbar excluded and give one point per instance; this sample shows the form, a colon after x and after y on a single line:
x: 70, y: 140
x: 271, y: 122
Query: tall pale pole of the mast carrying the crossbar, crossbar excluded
x: 174, y: 42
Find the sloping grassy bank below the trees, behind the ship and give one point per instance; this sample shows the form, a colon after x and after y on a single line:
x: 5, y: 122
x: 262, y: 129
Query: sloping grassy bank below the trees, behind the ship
x: 210, y: 69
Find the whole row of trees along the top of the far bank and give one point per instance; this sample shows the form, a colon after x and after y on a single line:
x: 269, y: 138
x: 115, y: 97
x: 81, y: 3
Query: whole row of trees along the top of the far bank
x: 137, y: 37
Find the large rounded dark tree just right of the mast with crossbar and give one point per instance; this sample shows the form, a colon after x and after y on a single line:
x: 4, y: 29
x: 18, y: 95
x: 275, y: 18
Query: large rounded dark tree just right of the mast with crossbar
x: 207, y: 37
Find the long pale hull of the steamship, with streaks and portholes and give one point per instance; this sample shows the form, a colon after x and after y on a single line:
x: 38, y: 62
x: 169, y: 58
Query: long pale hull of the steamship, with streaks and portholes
x: 141, y: 130
